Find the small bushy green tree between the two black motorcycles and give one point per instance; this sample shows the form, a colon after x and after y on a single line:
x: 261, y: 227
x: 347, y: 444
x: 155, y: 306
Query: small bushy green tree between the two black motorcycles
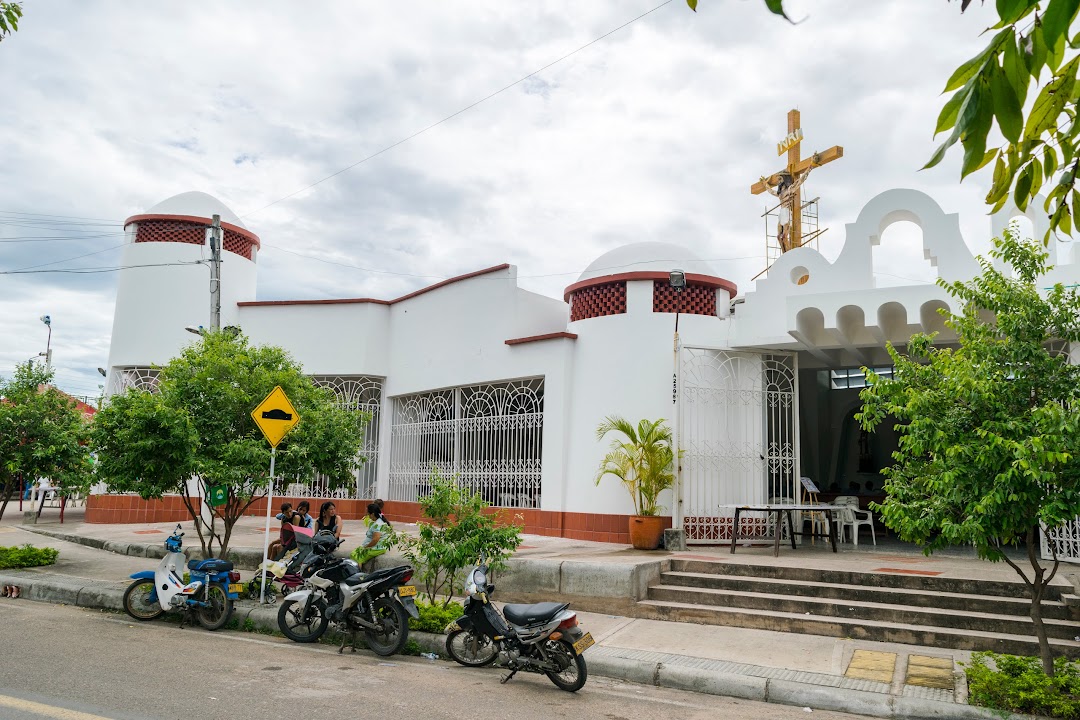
x: 461, y: 531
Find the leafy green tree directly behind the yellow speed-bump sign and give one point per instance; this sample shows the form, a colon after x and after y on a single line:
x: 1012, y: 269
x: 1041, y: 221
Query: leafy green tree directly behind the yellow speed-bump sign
x: 197, y: 429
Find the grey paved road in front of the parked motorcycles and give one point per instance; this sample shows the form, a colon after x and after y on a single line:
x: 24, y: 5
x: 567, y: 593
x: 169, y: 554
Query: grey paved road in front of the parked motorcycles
x: 65, y: 663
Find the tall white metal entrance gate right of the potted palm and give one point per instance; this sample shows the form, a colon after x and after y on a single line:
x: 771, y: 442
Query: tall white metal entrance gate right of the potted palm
x: 738, y: 429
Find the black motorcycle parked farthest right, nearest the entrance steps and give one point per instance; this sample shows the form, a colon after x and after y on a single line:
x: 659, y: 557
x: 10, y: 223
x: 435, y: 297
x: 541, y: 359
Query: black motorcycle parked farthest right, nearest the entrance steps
x: 542, y: 639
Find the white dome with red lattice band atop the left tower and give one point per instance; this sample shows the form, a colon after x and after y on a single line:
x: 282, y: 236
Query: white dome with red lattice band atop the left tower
x: 184, y: 219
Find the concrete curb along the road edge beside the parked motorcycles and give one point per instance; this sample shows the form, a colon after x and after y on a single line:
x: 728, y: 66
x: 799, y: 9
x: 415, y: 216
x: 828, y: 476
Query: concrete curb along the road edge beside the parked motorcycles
x: 105, y: 595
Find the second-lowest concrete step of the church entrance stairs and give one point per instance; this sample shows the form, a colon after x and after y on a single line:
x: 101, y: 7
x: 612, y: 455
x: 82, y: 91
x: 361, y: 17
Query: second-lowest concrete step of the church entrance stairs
x: 850, y: 610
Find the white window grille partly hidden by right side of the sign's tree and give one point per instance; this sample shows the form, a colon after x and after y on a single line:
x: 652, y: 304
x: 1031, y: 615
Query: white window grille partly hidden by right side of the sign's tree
x: 354, y: 393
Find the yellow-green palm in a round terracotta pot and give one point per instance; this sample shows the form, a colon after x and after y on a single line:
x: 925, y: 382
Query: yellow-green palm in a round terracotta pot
x: 642, y: 459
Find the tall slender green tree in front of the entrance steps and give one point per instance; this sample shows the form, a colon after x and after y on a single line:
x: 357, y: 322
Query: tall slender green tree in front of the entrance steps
x: 989, y: 430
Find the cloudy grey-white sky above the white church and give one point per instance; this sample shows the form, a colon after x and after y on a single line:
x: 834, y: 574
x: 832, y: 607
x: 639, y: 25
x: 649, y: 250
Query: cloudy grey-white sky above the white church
x: 655, y: 132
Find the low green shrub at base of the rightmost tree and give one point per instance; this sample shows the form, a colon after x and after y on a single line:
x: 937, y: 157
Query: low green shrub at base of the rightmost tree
x: 1019, y: 685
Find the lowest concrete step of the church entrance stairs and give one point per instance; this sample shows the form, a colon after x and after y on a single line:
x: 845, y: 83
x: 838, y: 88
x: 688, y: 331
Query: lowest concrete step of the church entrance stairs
x: 856, y: 629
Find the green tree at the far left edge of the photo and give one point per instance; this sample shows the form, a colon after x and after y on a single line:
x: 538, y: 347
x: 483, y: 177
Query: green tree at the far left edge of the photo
x: 43, y: 434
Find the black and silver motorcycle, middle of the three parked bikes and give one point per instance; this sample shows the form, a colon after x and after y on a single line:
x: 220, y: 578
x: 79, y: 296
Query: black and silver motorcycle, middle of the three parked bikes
x: 379, y: 604
